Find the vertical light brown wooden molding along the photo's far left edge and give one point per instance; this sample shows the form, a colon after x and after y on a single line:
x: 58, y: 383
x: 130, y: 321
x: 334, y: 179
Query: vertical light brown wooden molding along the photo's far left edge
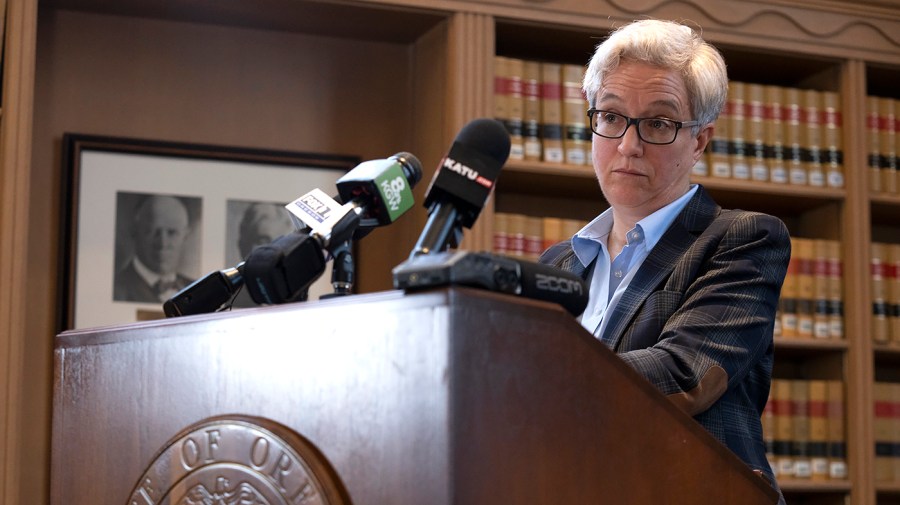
x: 15, y: 174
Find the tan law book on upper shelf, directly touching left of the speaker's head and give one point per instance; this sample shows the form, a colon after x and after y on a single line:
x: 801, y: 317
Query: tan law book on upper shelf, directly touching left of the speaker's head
x: 577, y: 133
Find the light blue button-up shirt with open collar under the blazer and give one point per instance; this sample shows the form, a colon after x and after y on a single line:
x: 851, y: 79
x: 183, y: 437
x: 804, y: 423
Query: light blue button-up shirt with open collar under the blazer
x: 590, y: 243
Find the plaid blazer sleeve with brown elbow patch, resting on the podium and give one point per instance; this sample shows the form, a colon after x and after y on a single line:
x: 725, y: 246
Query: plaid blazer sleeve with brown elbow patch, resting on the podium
x: 710, y: 326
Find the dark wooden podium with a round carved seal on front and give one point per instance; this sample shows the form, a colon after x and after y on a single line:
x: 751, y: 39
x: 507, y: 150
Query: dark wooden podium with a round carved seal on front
x: 452, y: 396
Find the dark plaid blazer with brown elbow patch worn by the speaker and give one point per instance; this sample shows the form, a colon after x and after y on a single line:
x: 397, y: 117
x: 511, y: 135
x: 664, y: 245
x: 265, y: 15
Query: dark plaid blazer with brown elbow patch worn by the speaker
x: 697, y: 318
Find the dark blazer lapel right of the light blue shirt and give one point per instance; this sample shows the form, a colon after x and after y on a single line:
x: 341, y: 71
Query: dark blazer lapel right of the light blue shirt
x: 696, y: 216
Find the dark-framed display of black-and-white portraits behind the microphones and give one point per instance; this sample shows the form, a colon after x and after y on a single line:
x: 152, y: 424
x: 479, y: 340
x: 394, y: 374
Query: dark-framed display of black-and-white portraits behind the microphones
x: 142, y: 219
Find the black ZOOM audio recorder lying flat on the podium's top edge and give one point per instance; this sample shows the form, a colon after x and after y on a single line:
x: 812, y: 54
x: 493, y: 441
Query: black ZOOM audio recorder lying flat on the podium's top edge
x: 494, y: 272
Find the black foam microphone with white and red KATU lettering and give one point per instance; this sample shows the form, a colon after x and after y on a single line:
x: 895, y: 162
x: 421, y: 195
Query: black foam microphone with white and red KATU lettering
x: 462, y: 183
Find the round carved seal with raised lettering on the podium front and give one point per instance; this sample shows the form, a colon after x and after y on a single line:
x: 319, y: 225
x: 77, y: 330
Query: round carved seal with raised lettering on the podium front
x: 238, y: 460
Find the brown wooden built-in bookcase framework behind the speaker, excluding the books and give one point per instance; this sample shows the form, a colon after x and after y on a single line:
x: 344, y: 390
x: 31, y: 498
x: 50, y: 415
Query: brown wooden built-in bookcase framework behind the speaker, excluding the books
x: 417, y: 70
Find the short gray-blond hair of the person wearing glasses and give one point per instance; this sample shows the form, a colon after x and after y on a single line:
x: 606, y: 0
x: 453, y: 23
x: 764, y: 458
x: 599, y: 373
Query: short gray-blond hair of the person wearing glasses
x: 667, y: 45
